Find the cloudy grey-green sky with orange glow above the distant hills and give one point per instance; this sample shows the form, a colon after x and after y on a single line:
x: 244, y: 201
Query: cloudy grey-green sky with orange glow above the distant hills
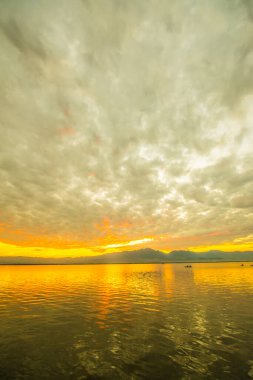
x: 125, y: 124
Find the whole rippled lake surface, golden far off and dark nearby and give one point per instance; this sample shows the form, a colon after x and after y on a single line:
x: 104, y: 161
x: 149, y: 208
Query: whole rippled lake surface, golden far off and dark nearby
x: 126, y: 322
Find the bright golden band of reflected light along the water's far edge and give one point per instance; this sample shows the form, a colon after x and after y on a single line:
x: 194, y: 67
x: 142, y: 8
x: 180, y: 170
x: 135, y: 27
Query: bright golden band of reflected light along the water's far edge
x: 149, y: 280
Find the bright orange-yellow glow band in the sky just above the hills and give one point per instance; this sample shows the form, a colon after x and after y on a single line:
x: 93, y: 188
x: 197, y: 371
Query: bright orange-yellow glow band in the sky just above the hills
x: 110, y: 237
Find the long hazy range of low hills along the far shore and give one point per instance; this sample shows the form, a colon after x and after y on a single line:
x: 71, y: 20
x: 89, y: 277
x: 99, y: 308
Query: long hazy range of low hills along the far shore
x: 146, y: 255
